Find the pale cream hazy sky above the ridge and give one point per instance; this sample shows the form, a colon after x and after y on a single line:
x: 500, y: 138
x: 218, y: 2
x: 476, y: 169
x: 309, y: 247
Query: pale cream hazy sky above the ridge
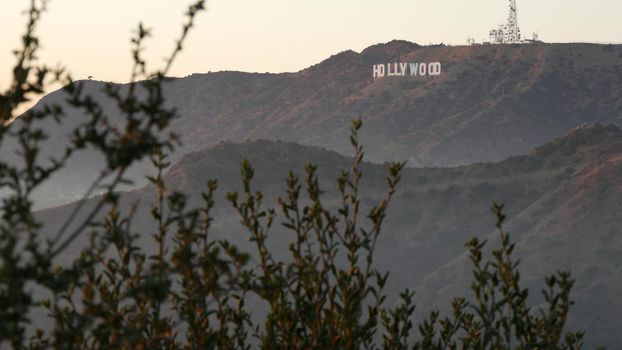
x: 91, y: 37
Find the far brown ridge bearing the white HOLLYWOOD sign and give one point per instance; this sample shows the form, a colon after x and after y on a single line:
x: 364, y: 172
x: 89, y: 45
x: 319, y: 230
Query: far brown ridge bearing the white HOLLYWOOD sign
x: 490, y: 102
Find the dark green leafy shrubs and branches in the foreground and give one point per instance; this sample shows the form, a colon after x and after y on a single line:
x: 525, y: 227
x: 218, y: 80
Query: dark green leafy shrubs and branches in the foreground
x: 192, y: 292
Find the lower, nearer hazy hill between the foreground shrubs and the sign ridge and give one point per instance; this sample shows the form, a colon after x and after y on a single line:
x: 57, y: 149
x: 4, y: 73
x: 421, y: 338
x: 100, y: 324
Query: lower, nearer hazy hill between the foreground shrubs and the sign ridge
x: 563, y: 199
